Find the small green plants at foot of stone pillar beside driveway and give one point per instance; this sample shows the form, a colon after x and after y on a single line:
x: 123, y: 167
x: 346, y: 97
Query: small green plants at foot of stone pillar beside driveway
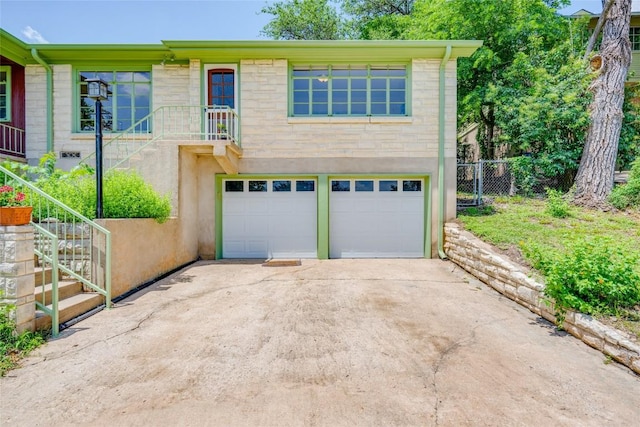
x: 14, y: 346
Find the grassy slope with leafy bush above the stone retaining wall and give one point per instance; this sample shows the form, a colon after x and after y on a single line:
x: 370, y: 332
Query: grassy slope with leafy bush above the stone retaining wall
x: 589, y: 259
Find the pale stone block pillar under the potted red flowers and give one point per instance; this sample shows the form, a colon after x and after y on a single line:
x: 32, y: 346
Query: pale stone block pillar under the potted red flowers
x: 17, y: 282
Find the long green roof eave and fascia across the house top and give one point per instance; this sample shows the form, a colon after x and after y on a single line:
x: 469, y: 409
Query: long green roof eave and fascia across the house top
x: 180, y: 52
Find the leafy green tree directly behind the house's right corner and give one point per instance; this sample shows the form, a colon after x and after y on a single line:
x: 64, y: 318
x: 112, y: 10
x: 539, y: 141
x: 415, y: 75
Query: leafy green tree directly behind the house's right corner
x: 509, y: 29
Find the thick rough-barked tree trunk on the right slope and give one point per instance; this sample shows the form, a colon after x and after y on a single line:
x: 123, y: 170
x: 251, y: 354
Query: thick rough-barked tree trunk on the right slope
x: 594, y: 180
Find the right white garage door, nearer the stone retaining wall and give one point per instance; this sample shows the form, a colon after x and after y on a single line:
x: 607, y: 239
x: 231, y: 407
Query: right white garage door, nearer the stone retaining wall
x: 376, y: 218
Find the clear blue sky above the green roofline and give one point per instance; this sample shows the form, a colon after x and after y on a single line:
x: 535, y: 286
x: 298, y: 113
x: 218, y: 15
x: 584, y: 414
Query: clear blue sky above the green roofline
x: 147, y: 21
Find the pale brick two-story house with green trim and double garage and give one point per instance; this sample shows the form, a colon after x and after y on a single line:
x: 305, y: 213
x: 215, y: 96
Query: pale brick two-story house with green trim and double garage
x: 270, y: 149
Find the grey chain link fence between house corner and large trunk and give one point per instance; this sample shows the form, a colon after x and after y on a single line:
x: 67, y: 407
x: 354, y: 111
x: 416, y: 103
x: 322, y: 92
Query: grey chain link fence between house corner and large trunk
x: 489, y: 178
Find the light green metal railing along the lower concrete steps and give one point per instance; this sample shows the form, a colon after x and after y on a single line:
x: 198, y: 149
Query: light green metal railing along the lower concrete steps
x: 83, y: 247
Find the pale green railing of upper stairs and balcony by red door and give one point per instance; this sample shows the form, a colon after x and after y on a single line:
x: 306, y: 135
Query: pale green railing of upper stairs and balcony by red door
x: 179, y: 123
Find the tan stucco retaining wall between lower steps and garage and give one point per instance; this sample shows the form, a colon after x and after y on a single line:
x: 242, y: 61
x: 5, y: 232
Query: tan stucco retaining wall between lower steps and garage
x: 142, y: 249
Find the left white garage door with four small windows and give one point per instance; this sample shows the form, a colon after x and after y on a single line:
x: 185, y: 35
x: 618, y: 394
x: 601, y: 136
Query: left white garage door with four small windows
x: 269, y: 218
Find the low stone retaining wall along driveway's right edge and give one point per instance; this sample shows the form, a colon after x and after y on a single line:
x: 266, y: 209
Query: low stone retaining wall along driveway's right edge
x: 510, y: 279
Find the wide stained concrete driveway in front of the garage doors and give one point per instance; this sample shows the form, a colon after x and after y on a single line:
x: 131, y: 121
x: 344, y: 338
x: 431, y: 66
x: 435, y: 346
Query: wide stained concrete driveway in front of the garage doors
x: 333, y: 343
